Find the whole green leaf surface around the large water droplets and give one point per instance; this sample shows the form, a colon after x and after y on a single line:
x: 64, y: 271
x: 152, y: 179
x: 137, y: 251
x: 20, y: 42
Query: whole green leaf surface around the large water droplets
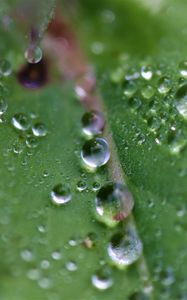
x: 147, y: 139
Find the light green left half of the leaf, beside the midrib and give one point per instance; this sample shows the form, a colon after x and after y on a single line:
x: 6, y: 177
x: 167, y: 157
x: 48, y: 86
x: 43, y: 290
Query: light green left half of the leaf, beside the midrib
x: 35, y: 236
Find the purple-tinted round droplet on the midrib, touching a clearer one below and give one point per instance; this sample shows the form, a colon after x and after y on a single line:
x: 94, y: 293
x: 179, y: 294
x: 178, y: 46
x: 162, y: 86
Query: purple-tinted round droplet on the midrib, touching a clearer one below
x: 93, y: 123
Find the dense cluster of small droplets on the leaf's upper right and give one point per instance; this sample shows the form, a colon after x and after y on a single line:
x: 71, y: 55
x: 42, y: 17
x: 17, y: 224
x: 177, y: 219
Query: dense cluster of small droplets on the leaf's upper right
x: 159, y: 98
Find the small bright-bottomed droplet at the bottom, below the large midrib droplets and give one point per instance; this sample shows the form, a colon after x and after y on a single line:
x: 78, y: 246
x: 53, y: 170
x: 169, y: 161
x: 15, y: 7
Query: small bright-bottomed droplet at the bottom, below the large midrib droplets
x: 102, y: 279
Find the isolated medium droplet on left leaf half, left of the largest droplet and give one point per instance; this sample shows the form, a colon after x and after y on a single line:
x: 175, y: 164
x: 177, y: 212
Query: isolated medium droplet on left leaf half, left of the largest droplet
x: 60, y: 194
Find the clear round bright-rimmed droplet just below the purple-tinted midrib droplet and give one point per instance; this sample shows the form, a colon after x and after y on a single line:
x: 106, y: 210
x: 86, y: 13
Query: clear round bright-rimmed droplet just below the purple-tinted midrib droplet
x: 95, y: 153
